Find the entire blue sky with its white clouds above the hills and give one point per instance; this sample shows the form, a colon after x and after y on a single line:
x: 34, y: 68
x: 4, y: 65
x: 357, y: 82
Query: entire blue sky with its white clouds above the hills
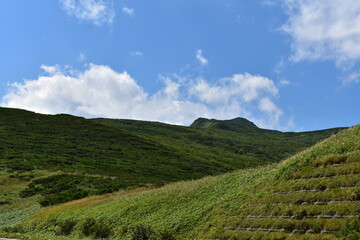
x: 284, y: 64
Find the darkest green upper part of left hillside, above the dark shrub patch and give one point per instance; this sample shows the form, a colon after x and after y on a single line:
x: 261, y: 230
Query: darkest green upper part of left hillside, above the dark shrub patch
x: 62, y: 142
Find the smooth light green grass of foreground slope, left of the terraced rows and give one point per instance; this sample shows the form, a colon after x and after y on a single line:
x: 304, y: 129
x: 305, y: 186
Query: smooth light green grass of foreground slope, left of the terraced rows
x: 176, y: 208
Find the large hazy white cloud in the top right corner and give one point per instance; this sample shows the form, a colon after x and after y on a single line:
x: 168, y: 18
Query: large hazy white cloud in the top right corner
x: 324, y: 29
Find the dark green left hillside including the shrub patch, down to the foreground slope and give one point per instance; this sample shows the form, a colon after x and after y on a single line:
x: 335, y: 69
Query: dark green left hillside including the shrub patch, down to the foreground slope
x: 89, y: 158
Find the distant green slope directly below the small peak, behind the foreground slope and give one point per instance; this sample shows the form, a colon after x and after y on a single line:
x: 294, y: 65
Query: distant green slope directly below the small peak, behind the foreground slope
x: 238, y: 145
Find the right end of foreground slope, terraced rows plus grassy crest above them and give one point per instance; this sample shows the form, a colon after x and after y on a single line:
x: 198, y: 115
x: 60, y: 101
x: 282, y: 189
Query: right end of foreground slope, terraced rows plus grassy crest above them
x: 315, y: 195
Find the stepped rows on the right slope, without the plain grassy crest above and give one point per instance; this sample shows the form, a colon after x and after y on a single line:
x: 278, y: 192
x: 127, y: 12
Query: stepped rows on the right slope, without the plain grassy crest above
x: 318, y: 204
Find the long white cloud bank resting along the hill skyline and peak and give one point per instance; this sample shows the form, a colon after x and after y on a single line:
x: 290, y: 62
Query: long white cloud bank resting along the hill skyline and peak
x: 99, y: 91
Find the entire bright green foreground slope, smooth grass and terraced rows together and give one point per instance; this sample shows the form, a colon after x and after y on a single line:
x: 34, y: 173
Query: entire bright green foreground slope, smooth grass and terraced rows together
x: 219, y: 207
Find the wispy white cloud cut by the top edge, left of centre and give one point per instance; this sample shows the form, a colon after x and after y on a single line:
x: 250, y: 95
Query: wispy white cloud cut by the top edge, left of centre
x: 96, y: 11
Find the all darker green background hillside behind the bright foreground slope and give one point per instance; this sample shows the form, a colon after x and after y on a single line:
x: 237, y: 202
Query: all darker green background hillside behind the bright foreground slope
x: 103, y: 155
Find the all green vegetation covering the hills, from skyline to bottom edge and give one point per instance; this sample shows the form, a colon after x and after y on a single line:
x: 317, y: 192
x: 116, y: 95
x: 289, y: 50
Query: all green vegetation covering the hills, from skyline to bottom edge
x: 51, y: 160
